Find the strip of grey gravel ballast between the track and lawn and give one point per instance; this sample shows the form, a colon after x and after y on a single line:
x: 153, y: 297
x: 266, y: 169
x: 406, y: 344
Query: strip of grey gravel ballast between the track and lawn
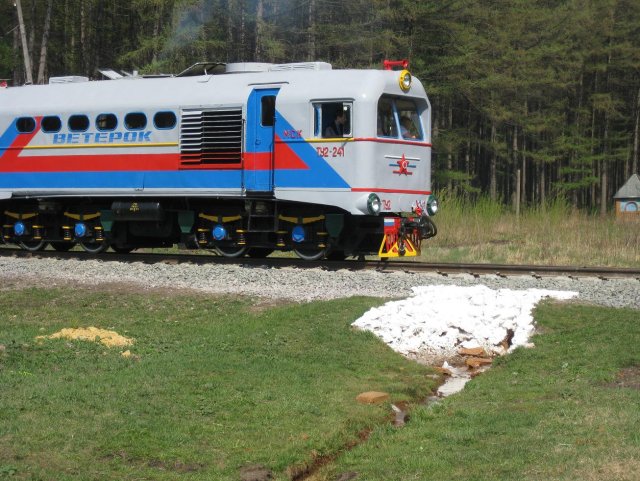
x: 293, y: 284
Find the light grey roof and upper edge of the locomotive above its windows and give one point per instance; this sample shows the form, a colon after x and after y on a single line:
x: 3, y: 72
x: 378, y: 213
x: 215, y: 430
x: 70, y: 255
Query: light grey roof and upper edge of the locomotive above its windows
x: 142, y: 93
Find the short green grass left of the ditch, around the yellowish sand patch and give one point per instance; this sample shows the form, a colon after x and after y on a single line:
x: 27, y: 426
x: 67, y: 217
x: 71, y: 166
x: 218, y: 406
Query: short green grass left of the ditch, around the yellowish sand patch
x: 214, y: 384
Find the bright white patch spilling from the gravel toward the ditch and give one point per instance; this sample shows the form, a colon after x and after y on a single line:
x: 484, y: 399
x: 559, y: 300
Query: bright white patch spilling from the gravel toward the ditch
x: 438, y: 320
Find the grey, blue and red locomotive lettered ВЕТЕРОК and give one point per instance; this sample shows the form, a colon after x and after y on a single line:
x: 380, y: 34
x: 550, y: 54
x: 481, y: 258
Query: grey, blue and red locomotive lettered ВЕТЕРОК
x: 240, y: 158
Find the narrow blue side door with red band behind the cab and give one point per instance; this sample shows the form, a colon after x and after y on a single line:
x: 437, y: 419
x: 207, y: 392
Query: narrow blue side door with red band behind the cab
x: 259, y: 145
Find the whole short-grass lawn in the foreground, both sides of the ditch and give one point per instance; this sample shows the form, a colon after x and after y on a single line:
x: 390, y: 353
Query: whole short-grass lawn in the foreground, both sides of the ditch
x: 215, y: 385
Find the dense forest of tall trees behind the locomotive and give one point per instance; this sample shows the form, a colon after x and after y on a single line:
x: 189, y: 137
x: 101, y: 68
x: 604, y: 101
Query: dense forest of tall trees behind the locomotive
x: 533, y: 100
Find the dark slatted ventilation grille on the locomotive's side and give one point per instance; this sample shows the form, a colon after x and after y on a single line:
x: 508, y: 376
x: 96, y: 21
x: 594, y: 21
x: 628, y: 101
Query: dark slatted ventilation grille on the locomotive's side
x: 211, y: 137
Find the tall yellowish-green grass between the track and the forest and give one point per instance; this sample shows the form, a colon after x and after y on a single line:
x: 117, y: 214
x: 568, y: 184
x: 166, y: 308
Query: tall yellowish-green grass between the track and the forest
x: 487, y: 232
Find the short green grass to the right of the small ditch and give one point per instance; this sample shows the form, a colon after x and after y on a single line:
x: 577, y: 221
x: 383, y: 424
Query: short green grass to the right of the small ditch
x: 552, y: 412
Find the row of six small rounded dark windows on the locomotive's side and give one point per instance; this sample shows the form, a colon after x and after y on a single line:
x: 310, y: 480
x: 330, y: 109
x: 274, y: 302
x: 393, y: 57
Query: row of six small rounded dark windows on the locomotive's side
x: 104, y: 122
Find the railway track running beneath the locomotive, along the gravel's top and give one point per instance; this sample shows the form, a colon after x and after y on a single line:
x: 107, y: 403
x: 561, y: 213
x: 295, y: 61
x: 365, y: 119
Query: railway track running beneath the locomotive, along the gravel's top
x: 444, y: 269
